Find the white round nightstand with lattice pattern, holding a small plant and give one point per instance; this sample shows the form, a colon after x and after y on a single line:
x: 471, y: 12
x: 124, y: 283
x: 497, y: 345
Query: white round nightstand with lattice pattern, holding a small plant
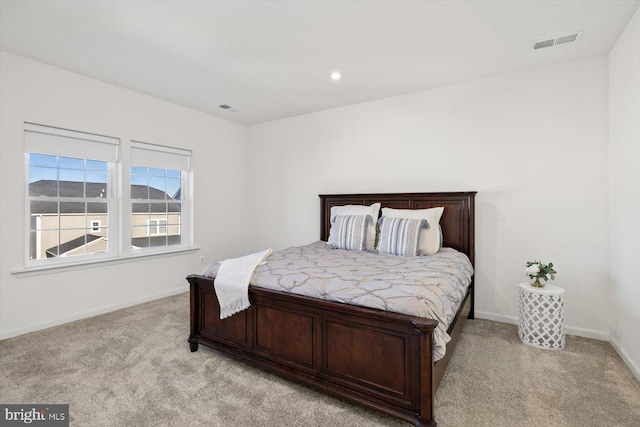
x: 542, y: 316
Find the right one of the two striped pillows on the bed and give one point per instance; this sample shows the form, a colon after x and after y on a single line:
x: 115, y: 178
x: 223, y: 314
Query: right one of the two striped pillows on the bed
x: 399, y: 236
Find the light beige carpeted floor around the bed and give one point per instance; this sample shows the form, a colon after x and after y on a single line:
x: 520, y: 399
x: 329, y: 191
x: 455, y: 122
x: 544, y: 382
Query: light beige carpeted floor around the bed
x: 133, y: 367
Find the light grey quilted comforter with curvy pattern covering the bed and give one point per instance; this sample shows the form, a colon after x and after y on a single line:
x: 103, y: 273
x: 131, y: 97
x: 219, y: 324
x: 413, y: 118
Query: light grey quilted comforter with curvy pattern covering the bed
x: 427, y: 286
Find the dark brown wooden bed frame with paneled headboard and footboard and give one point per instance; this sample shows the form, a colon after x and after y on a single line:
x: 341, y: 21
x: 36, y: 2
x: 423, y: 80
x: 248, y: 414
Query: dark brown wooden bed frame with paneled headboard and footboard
x: 379, y: 359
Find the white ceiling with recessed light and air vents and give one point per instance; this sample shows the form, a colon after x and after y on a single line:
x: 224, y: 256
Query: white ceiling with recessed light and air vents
x: 273, y: 59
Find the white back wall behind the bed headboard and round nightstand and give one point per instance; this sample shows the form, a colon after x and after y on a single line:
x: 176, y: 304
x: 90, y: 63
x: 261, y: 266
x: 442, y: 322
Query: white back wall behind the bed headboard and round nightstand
x: 533, y: 144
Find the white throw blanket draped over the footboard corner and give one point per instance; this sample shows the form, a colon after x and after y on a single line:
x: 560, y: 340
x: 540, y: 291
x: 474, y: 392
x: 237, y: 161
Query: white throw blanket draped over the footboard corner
x: 232, y: 282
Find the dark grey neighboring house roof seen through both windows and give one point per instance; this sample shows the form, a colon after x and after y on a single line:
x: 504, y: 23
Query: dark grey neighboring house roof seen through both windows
x: 76, y: 189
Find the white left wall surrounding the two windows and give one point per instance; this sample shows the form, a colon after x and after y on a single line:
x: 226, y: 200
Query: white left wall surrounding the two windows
x: 34, y: 92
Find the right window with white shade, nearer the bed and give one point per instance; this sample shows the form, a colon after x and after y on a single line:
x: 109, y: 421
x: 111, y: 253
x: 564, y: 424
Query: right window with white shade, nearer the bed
x: 158, y: 198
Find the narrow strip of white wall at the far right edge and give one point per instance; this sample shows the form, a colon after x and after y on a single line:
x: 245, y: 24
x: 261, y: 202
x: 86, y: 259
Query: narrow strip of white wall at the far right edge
x: 624, y: 193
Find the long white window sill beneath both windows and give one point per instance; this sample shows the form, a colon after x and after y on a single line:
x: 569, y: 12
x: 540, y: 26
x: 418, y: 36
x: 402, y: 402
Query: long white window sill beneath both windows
x: 47, y: 269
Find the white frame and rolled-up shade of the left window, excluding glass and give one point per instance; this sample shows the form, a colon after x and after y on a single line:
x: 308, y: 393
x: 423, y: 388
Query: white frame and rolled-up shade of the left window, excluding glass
x: 53, y: 141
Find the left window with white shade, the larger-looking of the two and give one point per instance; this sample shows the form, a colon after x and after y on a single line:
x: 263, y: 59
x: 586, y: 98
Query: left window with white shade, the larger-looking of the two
x: 70, y: 187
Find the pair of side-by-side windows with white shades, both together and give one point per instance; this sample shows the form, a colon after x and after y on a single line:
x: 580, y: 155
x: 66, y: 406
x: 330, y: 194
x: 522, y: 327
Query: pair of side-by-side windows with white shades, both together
x: 77, y: 210
